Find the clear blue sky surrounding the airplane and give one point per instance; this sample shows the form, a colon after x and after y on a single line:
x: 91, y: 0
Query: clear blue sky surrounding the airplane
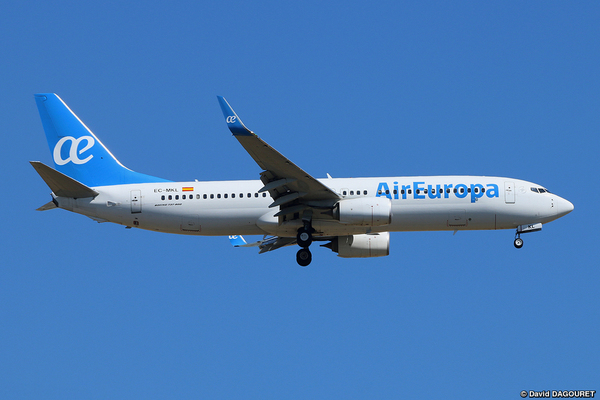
x: 348, y: 88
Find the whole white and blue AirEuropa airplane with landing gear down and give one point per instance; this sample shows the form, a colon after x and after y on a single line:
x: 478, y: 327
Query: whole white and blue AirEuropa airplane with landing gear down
x: 352, y: 216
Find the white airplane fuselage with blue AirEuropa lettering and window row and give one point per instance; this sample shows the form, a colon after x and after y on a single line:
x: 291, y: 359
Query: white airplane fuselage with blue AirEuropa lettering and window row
x: 219, y: 208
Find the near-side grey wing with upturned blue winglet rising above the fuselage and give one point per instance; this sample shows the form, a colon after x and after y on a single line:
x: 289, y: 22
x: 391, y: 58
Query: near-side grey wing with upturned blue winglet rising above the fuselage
x: 290, y: 186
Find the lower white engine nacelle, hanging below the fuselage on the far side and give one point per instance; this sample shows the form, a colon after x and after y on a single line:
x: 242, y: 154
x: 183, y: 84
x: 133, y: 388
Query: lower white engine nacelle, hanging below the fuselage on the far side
x: 354, y: 246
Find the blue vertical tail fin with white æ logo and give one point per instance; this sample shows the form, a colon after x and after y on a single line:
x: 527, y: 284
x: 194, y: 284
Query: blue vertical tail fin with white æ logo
x: 77, y: 152
